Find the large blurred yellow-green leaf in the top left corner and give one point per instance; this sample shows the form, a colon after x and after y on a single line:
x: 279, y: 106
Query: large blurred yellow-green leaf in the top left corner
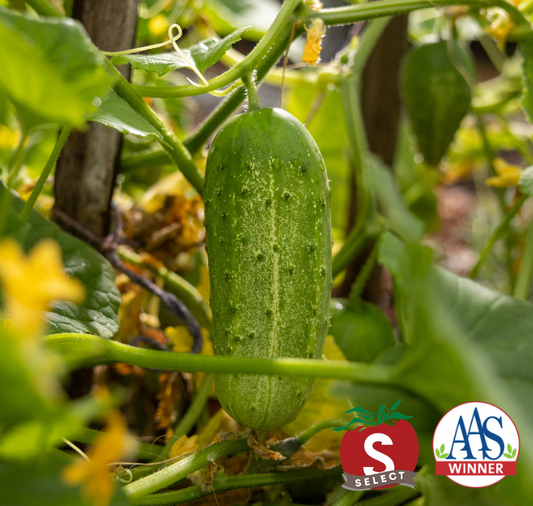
x: 50, y: 69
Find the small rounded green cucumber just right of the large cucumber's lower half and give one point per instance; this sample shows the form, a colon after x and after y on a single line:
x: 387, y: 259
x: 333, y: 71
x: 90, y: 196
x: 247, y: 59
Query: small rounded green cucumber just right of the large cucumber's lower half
x: 361, y: 332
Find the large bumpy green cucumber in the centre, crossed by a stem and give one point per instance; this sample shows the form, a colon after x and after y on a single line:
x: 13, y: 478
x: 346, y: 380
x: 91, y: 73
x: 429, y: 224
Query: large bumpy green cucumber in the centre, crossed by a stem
x: 268, y: 224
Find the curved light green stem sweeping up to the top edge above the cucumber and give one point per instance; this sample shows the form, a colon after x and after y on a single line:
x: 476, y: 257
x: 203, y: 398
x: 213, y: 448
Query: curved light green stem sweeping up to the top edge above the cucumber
x: 246, y: 66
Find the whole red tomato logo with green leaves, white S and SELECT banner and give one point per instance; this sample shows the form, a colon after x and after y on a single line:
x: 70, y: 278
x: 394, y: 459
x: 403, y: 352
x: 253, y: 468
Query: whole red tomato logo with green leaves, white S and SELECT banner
x: 379, y: 455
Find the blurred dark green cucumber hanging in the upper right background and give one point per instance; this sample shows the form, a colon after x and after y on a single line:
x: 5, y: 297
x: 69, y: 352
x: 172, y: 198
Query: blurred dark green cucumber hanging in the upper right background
x: 436, y: 95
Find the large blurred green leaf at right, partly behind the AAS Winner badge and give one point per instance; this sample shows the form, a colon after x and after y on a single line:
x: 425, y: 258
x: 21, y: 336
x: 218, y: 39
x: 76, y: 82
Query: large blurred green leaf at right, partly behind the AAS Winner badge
x: 464, y: 343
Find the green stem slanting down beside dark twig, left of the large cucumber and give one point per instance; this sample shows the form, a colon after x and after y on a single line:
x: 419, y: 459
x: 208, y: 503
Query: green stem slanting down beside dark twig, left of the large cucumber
x: 183, y: 290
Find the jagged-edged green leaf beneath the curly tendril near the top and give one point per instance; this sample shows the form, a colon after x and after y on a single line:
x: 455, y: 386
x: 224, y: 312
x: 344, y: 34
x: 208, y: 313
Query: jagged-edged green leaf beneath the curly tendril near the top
x: 200, y: 56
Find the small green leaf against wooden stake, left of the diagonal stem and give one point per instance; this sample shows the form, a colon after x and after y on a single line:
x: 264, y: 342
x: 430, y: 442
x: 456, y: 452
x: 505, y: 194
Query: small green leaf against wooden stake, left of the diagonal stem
x: 116, y: 113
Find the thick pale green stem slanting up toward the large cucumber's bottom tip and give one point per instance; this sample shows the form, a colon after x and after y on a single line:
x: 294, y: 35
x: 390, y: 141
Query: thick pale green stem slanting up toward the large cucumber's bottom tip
x: 181, y: 469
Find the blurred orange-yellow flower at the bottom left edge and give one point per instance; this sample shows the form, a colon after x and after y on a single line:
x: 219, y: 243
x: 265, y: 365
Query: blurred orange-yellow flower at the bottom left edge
x: 94, y: 473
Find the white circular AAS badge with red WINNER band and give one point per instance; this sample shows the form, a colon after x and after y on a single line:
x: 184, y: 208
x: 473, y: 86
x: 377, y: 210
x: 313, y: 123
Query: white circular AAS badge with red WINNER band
x: 476, y: 445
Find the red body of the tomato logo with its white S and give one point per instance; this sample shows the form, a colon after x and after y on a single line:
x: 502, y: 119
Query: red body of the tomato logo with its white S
x: 369, y: 450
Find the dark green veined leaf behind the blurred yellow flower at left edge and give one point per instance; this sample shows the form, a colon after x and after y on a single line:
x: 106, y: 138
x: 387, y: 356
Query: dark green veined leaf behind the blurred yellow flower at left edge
x: 99, y: 313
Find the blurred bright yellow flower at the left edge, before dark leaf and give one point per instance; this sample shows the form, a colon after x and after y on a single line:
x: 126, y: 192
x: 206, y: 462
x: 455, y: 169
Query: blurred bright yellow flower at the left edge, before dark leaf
x: 31, y: 282
